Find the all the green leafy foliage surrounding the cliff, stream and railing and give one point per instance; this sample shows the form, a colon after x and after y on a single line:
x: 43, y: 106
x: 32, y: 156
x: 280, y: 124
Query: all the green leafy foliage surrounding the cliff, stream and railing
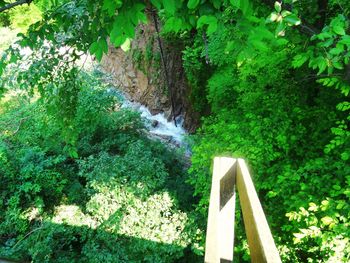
x: 271, y: 80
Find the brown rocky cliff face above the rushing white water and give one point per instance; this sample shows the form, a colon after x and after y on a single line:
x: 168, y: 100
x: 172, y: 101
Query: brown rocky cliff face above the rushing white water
x: 140, y: 73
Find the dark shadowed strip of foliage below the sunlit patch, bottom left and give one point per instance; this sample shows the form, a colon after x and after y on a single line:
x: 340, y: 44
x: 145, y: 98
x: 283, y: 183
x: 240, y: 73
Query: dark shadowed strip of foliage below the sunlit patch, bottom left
x: 61, y: 242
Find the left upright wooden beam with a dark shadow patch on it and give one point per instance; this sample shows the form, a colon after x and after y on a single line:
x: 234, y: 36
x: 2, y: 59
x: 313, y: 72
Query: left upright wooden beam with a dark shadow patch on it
x: 220, y: 229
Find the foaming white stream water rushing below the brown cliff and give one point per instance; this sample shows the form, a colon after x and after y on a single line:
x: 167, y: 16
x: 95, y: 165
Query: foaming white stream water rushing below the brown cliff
x: 158, y: 125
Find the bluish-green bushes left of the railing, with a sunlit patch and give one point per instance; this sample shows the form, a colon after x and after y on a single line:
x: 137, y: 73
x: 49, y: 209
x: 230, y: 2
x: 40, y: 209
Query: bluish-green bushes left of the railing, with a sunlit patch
x: 112, y: 196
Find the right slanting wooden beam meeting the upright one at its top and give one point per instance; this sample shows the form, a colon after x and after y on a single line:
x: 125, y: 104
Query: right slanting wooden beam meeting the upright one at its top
x: 261, y: 244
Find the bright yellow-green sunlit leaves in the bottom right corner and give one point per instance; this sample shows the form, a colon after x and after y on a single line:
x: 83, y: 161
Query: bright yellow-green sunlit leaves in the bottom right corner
x: 320, y: 228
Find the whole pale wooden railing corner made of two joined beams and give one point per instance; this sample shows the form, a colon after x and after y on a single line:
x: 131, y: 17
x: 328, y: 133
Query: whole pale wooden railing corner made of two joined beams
x: 230, y: 174
